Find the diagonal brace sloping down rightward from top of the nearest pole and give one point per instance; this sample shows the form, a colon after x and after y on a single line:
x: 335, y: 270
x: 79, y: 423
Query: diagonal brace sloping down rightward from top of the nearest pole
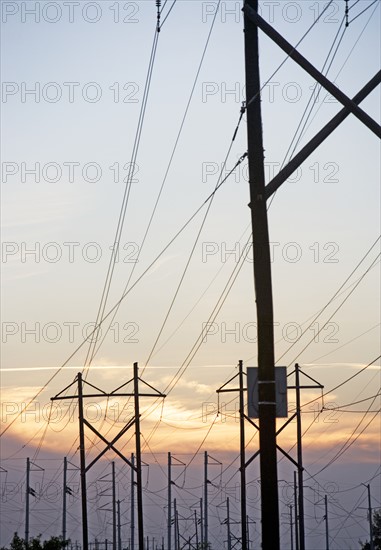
x: 312, y: 71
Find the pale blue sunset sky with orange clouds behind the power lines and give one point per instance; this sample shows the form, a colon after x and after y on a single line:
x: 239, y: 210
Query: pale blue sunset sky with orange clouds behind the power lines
x: 73, y: 86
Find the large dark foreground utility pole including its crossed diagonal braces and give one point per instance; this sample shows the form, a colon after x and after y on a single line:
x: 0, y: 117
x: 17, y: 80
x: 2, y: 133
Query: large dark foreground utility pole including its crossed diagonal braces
x: 259, y: 194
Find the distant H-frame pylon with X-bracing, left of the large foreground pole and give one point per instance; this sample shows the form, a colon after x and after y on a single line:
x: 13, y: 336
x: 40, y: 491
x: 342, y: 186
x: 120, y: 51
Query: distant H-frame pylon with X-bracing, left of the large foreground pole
x: 135, y: 421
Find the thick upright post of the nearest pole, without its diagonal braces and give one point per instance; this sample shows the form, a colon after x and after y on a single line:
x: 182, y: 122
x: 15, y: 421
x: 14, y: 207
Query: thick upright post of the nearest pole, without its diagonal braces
x: 263, y: 290
